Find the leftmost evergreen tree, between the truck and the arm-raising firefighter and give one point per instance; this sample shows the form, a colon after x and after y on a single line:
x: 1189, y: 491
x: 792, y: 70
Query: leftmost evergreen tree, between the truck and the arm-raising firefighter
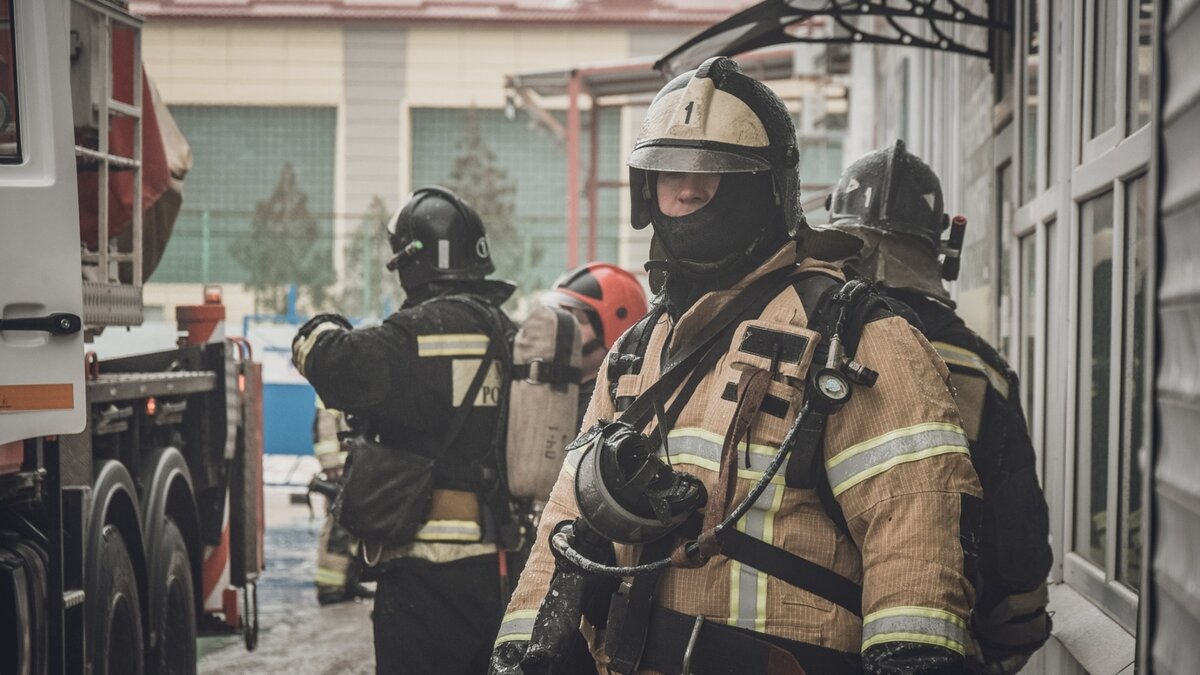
x: 285, y: 246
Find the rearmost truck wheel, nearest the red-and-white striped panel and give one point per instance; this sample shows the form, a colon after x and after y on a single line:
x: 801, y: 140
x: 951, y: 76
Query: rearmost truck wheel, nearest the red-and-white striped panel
x: 173, y: 592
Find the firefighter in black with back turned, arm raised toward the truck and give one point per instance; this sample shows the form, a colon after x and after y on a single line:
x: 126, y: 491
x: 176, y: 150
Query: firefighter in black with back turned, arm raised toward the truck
x: 439, y: 600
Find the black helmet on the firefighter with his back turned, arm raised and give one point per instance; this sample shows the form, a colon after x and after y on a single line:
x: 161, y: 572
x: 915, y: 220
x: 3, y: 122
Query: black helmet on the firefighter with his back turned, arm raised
x: 436, y: 237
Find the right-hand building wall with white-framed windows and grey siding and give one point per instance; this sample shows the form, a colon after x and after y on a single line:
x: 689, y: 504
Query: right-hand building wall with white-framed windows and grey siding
x: 1075, y: 266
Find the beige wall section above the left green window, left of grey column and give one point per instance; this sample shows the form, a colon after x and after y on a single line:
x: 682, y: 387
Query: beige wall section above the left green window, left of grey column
x: 245, y: 65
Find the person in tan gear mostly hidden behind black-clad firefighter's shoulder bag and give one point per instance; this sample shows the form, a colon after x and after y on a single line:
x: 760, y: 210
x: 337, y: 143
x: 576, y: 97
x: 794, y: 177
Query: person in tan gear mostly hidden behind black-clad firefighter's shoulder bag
x: 339, y: 566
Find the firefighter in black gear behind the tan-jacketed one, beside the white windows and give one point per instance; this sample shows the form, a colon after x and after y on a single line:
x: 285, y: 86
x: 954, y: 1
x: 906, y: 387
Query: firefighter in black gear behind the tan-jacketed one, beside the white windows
x: 890, y: 205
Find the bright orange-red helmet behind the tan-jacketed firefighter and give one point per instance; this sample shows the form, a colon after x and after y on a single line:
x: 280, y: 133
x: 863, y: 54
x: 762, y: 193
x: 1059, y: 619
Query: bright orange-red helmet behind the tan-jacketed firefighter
x: 613, y: 297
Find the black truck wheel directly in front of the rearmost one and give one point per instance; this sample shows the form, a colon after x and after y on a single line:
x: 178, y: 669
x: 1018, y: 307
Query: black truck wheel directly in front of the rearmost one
x: 117, y: 616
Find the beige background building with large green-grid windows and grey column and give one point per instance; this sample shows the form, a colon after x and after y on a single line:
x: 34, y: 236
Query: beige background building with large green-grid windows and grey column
x: 362, y: 104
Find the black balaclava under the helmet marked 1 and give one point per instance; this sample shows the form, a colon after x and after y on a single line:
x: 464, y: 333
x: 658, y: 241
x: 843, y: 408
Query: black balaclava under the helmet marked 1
x: 719, y: 244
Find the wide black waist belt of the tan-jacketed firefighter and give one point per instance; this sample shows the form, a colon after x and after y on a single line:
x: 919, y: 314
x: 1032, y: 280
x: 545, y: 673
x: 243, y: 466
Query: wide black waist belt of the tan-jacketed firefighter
x: 679, y: 643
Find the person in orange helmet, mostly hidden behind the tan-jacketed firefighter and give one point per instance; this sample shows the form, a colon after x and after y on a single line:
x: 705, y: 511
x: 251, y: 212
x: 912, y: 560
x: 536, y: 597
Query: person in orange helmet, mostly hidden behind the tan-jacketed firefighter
x: 605, y: 301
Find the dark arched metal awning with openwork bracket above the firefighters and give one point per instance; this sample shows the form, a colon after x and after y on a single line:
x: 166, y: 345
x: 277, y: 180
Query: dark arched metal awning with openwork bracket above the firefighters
x: 947, y: 26
